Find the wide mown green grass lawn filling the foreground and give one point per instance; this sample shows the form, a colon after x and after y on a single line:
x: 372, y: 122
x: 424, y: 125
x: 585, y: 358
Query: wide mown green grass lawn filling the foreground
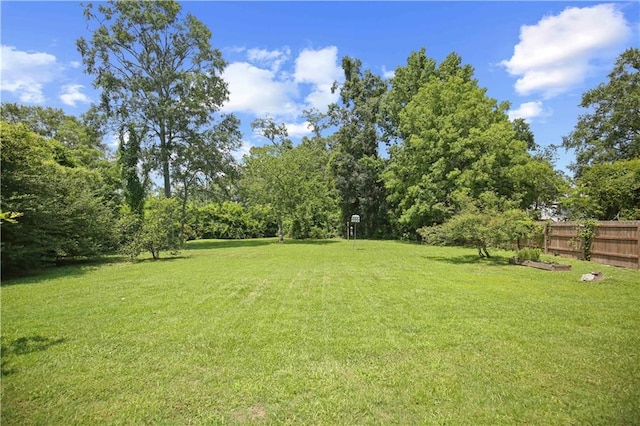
x: 237, y: 332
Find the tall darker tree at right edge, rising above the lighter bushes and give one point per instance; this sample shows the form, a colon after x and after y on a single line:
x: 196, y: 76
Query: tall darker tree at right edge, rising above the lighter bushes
x: 610, y: 131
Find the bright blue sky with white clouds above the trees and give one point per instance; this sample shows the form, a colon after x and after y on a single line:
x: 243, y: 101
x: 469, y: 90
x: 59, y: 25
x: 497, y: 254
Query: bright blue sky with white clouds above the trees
x: 284, y: 56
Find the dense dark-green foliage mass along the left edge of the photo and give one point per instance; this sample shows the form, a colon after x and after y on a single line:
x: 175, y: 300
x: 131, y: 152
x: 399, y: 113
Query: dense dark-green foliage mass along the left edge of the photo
x: 64, y: 210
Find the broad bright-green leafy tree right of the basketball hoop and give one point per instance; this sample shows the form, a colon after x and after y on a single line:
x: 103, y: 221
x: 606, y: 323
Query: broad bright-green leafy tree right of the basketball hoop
x: 459, y: 145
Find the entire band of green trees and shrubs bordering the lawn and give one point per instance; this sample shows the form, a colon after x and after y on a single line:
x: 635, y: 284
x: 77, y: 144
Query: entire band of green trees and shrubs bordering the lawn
x: 454, y: 161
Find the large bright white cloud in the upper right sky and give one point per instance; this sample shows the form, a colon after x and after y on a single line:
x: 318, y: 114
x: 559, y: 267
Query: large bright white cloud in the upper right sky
x: 557, y: 53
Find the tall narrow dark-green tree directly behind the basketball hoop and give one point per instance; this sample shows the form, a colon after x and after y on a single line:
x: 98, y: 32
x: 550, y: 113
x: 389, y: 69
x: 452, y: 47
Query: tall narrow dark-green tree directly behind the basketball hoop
x: 356, y: 161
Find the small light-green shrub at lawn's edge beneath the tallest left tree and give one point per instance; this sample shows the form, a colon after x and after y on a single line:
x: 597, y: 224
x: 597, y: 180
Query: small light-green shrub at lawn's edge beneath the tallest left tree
x: 158, y: 231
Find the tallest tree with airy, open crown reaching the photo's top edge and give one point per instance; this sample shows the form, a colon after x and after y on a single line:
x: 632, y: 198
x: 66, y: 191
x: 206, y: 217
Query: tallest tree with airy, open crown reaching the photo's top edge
x: 156, y: 70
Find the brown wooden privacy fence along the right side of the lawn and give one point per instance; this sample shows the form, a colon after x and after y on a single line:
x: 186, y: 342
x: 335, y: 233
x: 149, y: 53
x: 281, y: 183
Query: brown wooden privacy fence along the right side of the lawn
x: 613, y: 243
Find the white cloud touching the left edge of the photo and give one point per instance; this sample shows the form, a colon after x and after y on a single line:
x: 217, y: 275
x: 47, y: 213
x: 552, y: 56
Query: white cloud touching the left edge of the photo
x: 24, y: 74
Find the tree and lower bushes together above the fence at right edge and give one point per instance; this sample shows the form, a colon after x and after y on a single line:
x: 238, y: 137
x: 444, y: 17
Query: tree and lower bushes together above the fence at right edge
x: 607, y: 145
